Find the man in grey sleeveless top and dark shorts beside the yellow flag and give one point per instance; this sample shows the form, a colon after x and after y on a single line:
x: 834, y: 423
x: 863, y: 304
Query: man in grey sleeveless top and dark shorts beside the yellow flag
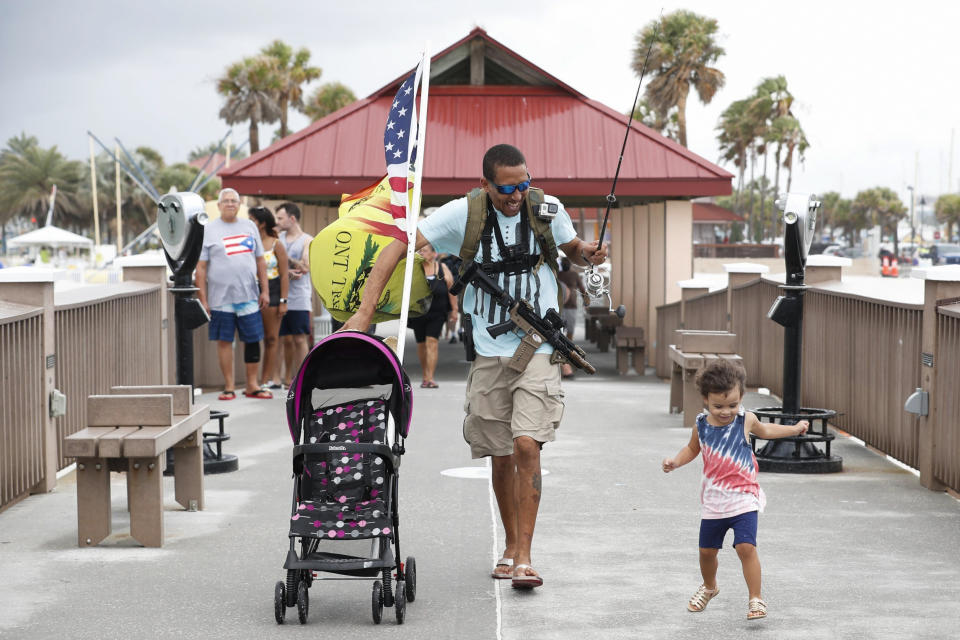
x: 295, y: 325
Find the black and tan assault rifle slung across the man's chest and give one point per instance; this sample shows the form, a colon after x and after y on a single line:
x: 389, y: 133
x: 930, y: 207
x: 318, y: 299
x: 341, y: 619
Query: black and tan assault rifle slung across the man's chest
x: 523, y: 318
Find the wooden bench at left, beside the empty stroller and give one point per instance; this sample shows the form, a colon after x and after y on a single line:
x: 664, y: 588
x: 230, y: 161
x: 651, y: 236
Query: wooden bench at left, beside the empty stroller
x: 130, y: 431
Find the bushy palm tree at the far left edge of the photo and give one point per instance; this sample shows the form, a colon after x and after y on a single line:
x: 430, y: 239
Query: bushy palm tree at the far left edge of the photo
x: 27, y: 175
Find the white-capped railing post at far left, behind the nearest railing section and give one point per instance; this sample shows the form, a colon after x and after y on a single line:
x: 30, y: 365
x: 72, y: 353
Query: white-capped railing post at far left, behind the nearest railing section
x: 34, y: 286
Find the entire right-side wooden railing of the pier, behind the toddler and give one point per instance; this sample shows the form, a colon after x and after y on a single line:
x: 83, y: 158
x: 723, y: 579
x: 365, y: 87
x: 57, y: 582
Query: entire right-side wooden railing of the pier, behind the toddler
x: 861, y: 358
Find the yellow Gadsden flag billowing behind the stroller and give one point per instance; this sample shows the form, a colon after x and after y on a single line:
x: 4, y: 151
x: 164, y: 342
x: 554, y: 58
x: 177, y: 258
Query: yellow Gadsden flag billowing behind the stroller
x: 342, y: 255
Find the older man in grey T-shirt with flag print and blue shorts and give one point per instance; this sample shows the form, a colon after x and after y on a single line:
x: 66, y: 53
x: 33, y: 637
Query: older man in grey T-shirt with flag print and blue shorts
x: 232, y: 282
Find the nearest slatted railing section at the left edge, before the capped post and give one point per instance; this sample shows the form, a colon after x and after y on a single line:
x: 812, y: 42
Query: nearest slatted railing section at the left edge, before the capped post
x: 22, y: 408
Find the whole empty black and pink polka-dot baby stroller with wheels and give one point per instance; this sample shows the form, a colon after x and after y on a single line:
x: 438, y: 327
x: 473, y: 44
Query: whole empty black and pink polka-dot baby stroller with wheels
x: 348, y: 409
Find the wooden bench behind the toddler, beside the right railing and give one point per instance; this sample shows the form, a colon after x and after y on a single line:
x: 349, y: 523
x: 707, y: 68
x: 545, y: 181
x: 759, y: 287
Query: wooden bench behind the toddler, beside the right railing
x: 692, y: 350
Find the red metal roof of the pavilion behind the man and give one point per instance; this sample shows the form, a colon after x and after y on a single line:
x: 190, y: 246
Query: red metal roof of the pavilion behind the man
x: 570, y: 141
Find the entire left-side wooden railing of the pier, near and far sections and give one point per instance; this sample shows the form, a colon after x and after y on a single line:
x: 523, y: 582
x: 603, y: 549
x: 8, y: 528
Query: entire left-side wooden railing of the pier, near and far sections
x: 62, y: 338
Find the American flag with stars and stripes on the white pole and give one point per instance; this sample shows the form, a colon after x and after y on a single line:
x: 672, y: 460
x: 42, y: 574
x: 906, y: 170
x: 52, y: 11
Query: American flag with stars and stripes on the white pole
x: 396, y: 139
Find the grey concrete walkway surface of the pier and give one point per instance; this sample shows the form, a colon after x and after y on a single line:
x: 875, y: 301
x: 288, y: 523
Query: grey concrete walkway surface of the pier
x: 865, y: 553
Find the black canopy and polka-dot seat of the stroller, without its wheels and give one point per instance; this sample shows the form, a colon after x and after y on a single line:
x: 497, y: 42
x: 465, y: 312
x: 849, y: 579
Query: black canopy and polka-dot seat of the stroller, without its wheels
x: 346, y: 454
